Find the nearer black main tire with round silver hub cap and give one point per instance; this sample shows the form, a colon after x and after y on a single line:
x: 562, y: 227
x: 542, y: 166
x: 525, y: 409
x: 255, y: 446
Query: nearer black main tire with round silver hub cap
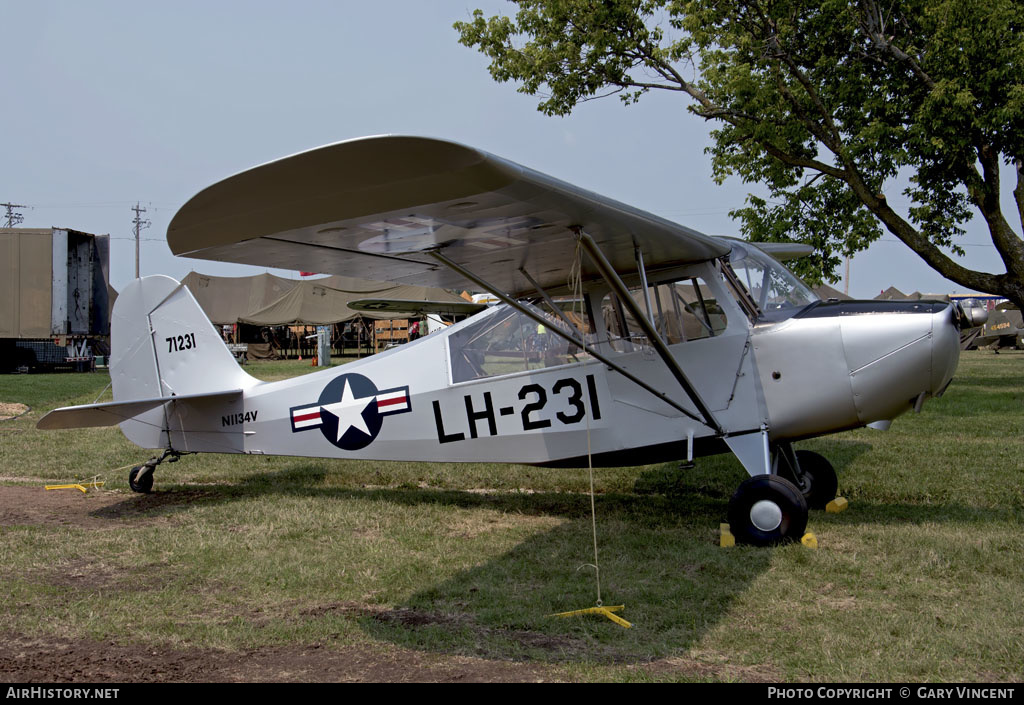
x: 767, y: 510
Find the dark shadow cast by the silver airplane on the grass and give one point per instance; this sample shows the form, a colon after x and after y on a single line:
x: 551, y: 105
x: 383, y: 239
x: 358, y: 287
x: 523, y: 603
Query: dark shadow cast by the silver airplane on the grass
x: 659, y: 556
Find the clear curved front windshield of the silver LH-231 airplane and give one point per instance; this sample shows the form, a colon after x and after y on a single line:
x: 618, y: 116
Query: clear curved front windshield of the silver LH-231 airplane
x: 779, y: 294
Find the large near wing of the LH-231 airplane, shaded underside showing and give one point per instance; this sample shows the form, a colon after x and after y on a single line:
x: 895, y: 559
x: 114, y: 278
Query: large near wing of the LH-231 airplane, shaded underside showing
x: 374, y: 208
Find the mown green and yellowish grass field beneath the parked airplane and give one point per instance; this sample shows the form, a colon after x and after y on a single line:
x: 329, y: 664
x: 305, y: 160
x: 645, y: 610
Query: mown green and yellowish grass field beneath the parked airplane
x: 922, y: 579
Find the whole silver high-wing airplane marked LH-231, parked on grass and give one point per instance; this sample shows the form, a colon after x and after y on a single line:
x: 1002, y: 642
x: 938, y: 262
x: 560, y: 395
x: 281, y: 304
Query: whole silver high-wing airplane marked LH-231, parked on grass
x: 623, y: 339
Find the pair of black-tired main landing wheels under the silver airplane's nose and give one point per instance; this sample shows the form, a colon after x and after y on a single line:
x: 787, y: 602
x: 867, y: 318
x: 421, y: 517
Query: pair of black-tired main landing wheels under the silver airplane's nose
x: 773, y: 509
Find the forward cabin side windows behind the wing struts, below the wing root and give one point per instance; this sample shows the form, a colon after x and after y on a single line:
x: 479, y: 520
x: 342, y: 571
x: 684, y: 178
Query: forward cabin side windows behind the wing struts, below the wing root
x: 685, y: 310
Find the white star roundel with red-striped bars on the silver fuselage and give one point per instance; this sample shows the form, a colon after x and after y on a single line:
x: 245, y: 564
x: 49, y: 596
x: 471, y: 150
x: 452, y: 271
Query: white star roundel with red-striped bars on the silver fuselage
x: 351, y: 411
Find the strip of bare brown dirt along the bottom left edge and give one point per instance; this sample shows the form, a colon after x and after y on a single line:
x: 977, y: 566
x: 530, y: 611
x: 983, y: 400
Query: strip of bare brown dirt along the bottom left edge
x: 26, y: 659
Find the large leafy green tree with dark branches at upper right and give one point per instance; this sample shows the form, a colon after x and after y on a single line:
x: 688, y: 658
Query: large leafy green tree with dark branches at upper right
x: 825, y: 103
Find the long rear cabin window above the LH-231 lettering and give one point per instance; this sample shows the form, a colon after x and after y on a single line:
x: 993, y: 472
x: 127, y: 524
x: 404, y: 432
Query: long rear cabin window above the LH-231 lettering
x: 508, y: 342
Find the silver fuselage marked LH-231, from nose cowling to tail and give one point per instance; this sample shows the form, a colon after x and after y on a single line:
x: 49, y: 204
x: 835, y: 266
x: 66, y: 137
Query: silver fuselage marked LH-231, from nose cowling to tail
x: 458, y: 396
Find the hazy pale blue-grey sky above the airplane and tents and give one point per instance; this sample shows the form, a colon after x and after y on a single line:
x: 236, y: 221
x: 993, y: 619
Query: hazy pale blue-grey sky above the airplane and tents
x: 109, y: 104
